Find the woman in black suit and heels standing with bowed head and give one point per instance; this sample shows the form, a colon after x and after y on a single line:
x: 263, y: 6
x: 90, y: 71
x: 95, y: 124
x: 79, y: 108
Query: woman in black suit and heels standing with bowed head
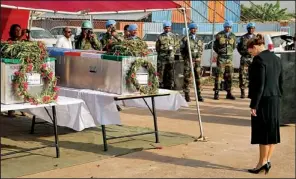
x: 265, y: 91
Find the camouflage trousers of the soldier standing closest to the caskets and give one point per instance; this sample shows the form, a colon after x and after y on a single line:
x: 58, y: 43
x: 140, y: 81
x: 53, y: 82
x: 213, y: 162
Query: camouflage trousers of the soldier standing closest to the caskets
x: 166, y: 73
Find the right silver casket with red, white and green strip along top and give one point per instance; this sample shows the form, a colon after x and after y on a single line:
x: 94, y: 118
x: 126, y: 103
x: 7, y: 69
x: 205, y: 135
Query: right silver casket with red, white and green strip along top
x: 107, y: 73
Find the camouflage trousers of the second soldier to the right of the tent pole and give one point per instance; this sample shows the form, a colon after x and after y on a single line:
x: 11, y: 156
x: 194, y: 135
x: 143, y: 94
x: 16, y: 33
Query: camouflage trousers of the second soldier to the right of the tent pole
x: 224, y: 71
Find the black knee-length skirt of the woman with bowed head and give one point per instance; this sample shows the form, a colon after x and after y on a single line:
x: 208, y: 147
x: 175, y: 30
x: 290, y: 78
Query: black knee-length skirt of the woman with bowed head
x: 265, y: 126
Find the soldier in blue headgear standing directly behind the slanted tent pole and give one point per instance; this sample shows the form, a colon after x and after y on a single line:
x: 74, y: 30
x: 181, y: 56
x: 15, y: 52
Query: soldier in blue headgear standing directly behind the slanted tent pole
x: 196, y: 48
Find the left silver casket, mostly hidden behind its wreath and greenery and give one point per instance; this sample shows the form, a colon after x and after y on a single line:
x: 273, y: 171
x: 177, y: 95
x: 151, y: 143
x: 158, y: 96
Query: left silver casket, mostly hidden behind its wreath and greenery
x: 8, y: 68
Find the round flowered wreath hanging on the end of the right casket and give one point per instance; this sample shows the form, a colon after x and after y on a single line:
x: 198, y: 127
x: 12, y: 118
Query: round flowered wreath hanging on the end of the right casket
x: 132, y: 82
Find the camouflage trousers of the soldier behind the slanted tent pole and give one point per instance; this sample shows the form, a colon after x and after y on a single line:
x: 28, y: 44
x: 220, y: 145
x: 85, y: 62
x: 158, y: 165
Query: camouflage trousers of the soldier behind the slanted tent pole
x: 187, y: 74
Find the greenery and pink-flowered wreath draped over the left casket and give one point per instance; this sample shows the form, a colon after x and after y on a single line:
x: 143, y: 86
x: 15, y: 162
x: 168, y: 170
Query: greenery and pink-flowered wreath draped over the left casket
x: 32, y: 56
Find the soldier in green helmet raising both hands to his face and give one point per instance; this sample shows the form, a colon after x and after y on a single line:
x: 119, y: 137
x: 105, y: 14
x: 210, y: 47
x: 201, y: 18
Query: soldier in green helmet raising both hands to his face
x: 87, y: 40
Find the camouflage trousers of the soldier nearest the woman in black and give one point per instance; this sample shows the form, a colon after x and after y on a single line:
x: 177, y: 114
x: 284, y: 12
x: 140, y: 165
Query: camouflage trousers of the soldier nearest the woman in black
x: 245, y: 62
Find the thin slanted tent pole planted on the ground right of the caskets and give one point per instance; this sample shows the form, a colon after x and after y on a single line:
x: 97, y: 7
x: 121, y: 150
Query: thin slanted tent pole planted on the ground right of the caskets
x: 201, y: 137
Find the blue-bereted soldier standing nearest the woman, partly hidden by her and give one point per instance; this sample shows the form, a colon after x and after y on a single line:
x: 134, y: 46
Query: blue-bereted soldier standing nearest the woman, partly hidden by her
x: 246, y: 58
